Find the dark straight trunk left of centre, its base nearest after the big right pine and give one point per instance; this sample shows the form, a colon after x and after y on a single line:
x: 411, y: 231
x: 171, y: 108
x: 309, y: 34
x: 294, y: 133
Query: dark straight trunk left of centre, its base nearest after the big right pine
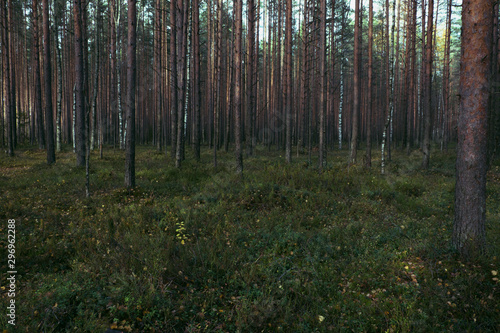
x: 131, y: 90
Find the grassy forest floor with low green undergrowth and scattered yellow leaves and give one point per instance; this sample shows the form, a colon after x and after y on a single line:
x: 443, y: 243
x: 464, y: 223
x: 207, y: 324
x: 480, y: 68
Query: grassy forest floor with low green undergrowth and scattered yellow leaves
x: 204, y: 250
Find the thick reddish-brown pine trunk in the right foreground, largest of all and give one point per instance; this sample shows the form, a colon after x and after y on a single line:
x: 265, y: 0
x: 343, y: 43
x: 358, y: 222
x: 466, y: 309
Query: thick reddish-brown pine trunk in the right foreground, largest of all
x: 470, y: 191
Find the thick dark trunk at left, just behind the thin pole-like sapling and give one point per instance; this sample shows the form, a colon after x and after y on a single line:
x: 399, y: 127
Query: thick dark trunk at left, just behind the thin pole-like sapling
x: 79, y: 86
